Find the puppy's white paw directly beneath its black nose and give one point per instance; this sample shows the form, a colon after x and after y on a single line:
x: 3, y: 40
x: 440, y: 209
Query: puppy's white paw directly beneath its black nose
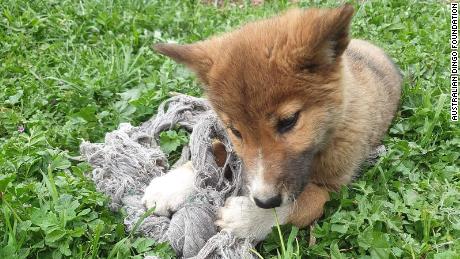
x: 243, y: 218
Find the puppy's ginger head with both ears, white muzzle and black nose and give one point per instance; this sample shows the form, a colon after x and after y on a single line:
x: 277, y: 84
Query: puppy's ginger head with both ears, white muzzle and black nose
x: 277, y: 86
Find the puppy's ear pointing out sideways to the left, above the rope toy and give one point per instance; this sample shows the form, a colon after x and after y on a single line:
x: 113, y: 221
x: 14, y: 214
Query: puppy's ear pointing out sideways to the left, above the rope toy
x: 194, y: 56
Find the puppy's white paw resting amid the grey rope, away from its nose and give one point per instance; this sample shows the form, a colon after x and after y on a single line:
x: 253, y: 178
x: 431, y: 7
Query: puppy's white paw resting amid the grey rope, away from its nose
x: 168, y: 192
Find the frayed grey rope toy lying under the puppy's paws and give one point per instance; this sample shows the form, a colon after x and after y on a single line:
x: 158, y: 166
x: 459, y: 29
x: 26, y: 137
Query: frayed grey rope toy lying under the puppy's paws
x: 130, y: 158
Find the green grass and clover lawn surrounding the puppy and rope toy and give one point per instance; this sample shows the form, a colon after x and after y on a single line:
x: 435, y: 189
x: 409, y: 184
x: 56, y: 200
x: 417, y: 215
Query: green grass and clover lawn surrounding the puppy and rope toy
x: 73, y: 70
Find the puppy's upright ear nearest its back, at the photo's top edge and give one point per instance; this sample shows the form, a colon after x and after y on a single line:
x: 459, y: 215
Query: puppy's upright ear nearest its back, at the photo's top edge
x: 325, y: 36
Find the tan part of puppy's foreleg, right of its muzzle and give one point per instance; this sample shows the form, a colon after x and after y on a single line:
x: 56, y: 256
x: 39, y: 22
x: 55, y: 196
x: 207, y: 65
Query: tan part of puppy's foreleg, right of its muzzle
x: 309, y: 205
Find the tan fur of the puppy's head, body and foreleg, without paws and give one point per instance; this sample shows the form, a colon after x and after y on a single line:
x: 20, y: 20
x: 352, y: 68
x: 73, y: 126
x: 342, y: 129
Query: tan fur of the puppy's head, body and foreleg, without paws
x: 346, y: 93
